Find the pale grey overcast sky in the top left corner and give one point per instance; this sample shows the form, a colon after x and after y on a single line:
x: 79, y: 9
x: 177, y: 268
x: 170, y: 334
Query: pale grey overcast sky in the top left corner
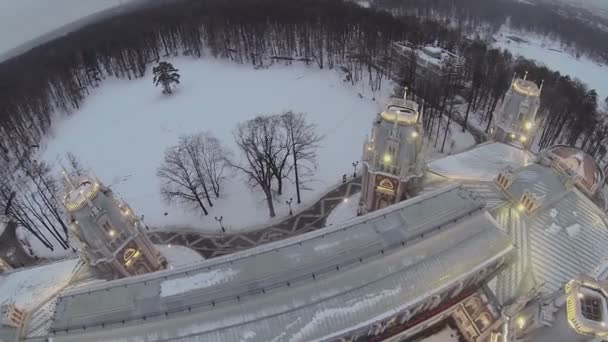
x: 23, y: 20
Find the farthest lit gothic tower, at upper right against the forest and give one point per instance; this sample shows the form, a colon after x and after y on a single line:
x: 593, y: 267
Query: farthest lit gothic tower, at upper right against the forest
x: 515, y: 118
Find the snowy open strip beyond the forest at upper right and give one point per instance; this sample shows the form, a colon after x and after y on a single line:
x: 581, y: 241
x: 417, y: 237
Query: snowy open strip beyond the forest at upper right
x: 553, y: 55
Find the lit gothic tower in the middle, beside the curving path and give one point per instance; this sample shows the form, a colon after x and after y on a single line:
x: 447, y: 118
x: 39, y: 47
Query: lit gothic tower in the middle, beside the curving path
x: 393, y: 164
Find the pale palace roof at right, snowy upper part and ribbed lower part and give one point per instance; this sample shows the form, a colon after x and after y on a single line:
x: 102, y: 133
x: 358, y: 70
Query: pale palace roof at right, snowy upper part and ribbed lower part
x: 566, y: 236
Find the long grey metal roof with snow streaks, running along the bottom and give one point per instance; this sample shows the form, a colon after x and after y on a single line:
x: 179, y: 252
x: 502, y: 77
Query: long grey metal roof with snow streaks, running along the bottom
x: 296, y: 305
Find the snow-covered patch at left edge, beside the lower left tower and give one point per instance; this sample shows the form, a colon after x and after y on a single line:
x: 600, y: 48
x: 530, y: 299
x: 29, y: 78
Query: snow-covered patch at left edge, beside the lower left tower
x: 27, y: 287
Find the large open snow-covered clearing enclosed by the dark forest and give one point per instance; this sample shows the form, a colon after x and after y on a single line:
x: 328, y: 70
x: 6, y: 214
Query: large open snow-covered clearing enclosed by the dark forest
x: 123, y: 128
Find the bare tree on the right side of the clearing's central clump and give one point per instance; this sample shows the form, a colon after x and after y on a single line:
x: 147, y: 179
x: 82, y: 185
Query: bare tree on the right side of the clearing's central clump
x: 303, y: 139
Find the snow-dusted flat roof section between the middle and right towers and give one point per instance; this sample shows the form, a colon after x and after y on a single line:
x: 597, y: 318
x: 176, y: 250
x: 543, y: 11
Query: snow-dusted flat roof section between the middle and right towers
x: 482, y: 163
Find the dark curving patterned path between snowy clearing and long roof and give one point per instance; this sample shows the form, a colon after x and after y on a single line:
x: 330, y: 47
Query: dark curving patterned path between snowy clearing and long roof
x: 211, y: 246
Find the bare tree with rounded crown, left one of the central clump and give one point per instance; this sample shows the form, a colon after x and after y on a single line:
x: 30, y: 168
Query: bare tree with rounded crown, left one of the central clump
x: 257, y: 140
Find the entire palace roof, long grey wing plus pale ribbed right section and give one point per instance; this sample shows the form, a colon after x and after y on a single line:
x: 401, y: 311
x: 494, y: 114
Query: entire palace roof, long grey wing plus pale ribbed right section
x: 346, y: 276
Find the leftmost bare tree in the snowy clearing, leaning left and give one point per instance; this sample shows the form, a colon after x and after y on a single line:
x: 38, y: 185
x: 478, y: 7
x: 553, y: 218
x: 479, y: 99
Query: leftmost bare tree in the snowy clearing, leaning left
x: 179, y: 180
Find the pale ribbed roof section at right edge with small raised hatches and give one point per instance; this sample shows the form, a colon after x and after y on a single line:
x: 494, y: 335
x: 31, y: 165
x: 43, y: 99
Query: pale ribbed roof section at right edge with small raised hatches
x: 555, y: 244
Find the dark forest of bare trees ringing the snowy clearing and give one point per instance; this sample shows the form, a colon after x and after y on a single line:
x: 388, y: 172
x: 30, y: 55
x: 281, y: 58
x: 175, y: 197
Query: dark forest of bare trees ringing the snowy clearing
x: 55, y: 78
